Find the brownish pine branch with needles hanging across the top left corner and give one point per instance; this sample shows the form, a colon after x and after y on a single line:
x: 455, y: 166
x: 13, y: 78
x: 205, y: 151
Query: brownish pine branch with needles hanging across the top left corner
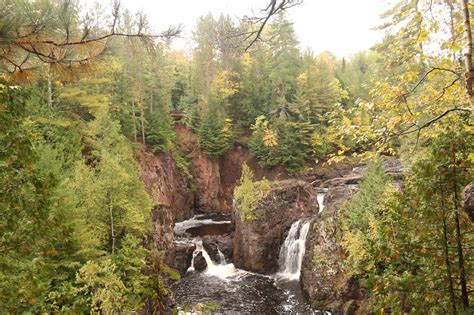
x: 51, y: 33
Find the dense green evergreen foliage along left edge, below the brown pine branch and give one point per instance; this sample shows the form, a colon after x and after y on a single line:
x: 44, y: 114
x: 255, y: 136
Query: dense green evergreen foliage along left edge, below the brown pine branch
x: 36, y: 209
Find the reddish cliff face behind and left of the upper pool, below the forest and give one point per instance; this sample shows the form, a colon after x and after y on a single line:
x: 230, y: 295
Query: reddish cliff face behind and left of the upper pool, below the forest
x: 178, y: 197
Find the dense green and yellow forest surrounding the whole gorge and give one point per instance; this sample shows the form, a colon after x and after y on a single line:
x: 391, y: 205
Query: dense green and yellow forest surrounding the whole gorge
x: 82, y: 93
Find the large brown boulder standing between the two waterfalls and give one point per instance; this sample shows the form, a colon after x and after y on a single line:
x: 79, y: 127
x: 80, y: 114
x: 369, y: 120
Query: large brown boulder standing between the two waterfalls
x: 257, y: 242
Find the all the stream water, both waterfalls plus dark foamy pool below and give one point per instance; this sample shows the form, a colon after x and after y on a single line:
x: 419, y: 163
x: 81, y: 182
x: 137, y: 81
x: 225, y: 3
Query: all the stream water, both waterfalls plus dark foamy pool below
x: 237, y: 291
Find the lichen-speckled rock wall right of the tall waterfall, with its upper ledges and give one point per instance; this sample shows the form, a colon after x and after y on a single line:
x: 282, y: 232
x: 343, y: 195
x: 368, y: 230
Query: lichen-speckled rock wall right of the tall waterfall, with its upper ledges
x: 323, y: 277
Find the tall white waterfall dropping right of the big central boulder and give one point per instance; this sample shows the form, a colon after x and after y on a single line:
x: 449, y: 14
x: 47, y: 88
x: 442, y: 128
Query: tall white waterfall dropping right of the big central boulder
x: 292, y: 250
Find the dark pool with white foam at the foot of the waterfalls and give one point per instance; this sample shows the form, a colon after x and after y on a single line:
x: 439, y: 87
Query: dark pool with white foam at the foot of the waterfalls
x: 240, y: 292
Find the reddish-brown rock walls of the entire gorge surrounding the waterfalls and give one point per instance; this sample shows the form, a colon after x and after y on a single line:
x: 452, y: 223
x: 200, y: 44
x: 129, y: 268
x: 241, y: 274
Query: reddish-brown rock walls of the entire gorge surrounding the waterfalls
x: 199, y: 207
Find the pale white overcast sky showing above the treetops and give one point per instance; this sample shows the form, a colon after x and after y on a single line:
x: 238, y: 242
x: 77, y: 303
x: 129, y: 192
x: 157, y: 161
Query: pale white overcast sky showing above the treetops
x: 340, y: 26
